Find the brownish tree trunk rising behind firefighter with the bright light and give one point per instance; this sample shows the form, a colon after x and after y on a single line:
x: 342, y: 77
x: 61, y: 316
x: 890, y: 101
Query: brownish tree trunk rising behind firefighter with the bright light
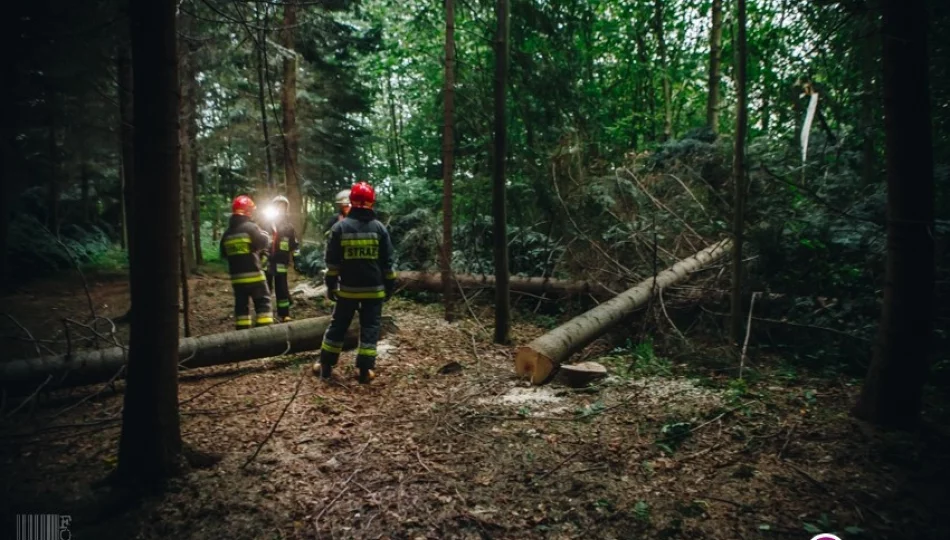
x: 288, y: 98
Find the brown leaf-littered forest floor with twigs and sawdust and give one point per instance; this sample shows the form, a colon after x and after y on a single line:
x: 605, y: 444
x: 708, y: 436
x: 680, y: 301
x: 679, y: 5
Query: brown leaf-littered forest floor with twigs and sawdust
x: 474, y: 453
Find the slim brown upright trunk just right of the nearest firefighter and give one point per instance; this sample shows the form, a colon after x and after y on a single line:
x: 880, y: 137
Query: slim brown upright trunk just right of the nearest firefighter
x: 448, y: 158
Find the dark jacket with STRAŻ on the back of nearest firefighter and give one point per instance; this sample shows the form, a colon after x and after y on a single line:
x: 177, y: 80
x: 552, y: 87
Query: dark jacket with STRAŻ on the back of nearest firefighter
x: 360, y: 255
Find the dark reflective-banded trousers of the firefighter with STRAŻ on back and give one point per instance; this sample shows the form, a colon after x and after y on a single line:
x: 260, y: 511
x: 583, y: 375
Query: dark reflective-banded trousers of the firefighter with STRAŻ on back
x: 371, y: 313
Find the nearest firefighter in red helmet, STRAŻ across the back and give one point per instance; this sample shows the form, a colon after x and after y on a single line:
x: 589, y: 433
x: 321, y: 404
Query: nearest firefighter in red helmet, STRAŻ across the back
x: 359, y: 260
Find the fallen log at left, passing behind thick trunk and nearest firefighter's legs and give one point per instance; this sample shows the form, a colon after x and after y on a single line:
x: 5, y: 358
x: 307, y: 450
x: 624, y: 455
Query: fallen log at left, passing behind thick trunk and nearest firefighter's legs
x: 88, y: 367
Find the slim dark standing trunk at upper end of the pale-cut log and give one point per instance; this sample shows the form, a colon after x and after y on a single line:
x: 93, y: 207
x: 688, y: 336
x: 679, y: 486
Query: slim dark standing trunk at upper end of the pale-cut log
x: 738, y: 171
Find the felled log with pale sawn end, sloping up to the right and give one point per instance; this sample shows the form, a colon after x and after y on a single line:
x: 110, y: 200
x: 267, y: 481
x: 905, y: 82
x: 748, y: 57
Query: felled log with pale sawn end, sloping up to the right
x: 541, y: 358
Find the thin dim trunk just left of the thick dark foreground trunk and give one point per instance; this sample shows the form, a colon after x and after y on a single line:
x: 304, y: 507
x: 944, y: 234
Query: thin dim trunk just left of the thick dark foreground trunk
x: 126, y: 134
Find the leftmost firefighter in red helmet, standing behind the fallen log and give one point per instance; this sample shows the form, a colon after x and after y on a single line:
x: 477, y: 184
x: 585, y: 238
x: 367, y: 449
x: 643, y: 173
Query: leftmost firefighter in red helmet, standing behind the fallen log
x: 242, y: 245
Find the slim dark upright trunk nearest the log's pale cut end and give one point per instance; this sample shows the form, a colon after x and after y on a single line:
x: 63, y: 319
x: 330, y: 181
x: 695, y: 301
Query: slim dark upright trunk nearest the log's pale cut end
x: 499, y: 213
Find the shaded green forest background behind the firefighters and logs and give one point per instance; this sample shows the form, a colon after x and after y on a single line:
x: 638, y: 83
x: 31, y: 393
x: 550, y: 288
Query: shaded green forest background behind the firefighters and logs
x: 619, y: 139
